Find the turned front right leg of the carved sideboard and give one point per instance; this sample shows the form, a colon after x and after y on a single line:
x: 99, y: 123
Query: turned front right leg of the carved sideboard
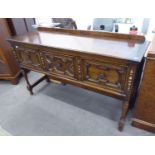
x: 125, y: 108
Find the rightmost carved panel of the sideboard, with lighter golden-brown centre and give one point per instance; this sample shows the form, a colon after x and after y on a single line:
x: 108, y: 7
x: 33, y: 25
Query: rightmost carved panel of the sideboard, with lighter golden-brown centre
x: 106, y: 75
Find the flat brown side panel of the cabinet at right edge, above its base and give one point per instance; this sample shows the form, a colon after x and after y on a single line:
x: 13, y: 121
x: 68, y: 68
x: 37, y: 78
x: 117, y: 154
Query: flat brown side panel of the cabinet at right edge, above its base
x: 145, y: 107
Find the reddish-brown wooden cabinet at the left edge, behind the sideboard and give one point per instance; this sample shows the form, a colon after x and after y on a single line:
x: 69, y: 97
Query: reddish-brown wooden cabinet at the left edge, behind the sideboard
x: 9, y: 69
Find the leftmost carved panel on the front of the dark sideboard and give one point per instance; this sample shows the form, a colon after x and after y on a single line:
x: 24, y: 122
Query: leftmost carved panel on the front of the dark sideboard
x: 28, y: 57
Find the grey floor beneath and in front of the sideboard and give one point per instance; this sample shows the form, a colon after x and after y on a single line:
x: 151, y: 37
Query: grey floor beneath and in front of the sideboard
x: 55, y: 109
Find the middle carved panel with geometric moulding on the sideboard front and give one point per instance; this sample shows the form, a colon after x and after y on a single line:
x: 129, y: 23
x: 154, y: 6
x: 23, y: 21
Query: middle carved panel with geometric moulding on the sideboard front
x: 61, y: 65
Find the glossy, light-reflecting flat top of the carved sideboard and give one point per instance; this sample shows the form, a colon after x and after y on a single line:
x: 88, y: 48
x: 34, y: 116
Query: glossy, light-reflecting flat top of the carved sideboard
x: 114, y: 46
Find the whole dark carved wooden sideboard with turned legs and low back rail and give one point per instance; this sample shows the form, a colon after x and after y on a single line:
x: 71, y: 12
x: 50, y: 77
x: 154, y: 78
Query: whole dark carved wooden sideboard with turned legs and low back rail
x: 107, y: 63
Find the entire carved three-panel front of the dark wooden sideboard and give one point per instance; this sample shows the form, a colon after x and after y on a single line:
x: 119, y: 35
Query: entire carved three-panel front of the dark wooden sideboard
x: 99, y: 73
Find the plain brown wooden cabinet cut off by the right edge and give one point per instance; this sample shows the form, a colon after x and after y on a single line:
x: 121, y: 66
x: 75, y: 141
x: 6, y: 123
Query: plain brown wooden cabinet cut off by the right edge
x: 144, y: 115
